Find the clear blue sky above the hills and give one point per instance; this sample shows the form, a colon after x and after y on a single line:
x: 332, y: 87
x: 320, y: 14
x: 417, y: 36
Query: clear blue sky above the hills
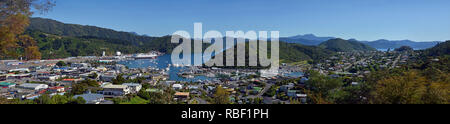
x: 420, y: 20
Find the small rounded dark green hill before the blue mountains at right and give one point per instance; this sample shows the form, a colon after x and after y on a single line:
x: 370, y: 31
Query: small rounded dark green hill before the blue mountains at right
x: 341, y: 45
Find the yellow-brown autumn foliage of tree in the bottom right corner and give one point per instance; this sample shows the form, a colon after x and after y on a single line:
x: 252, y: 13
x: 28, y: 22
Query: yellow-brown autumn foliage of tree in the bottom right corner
x: 410, y: 88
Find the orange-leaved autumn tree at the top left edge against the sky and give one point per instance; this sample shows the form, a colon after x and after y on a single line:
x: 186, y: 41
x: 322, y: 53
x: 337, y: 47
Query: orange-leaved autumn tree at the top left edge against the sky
x: 14, y: 19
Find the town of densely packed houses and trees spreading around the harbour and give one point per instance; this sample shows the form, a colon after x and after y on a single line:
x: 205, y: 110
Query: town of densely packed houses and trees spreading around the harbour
x: 102, y: 80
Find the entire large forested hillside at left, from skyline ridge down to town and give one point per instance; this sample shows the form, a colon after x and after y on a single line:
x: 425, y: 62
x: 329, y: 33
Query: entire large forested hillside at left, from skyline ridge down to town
x: 59, y: 40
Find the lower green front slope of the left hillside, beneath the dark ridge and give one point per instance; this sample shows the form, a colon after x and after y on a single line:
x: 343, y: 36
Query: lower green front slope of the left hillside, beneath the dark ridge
x: 55, y: 46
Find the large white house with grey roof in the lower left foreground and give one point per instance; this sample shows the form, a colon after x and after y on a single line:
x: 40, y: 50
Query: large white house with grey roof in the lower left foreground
x: 115, y: 90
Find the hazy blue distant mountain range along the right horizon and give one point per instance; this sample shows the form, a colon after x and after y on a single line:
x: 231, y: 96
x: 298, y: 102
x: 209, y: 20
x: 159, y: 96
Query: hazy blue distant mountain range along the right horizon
x: 310, y: 39
